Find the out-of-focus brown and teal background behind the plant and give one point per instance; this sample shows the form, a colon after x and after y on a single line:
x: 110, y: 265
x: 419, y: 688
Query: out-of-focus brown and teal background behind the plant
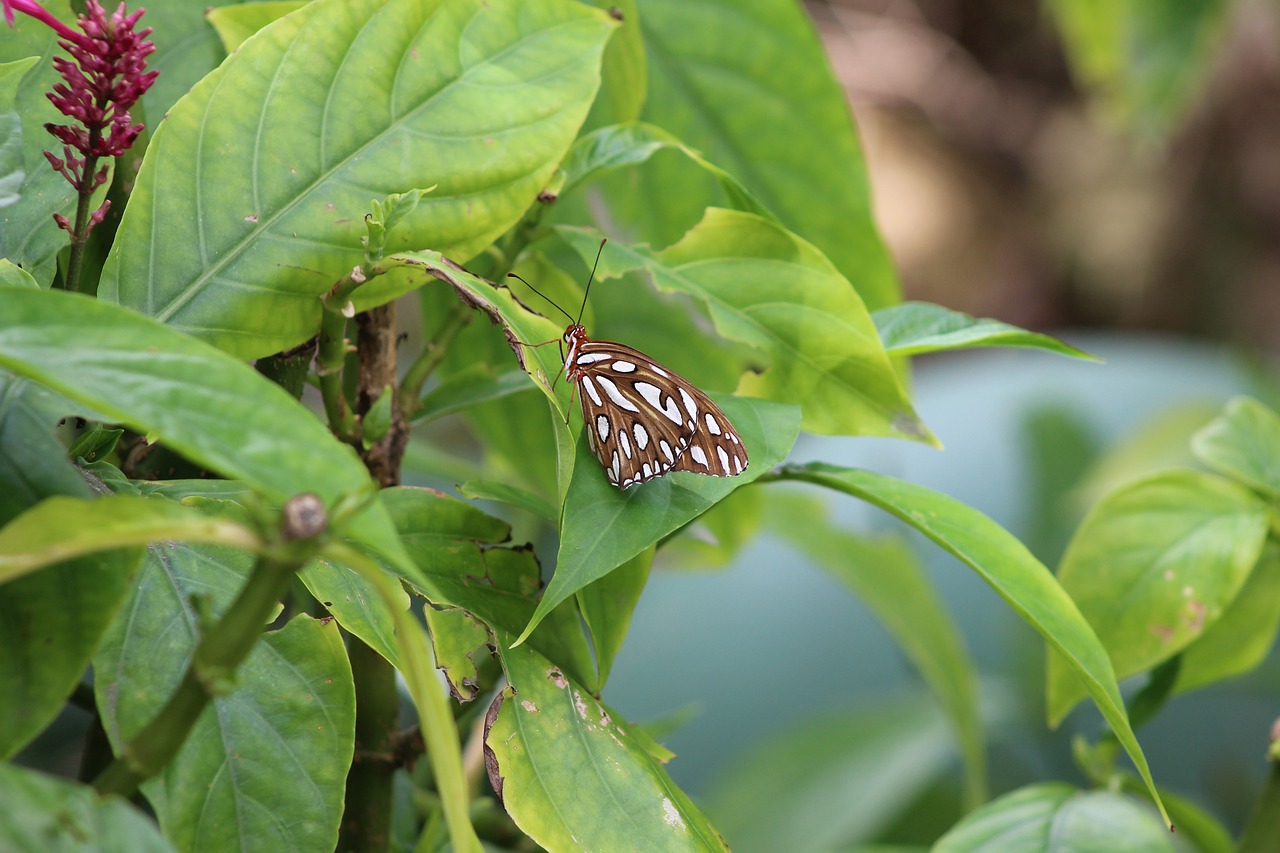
x: 1107, y: 172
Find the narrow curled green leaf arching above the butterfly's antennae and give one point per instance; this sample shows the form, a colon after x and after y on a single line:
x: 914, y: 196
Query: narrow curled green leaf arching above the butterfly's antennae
x: 632, y: 144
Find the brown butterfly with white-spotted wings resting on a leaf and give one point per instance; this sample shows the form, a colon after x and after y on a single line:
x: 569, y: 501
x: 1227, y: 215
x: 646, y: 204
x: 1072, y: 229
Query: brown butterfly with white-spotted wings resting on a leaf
x: 643, y: 419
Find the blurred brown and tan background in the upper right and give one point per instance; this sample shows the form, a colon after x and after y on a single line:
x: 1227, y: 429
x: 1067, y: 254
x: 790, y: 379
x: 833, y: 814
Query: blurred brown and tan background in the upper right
x: 1007, y: 188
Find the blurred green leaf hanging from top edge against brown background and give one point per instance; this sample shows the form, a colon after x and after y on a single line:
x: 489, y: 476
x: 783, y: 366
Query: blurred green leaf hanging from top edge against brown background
x: 1145, y: 61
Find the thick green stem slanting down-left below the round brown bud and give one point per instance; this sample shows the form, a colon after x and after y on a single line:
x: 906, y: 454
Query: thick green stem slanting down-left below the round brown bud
x: 209, y: 676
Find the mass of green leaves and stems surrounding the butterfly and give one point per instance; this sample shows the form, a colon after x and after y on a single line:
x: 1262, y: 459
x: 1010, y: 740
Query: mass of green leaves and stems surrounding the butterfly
x: 326, y: 163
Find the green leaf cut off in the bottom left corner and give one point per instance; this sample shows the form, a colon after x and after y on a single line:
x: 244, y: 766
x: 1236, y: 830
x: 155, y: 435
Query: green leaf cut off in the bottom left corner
x: 48, y: 814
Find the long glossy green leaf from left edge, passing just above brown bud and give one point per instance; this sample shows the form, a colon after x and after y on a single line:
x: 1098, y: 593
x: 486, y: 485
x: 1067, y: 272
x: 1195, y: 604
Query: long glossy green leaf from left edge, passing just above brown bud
x: 214, y: 410
